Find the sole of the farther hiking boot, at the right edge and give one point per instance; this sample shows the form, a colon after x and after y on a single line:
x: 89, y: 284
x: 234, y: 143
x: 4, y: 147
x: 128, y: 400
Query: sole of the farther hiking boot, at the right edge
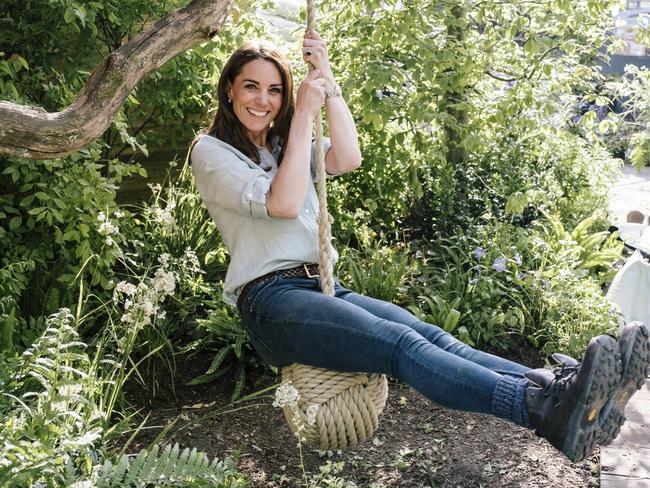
x: 634, y: 348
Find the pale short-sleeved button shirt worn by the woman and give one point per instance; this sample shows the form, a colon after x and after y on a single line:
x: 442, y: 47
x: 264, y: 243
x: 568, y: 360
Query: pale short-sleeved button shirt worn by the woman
x: 234, y: 188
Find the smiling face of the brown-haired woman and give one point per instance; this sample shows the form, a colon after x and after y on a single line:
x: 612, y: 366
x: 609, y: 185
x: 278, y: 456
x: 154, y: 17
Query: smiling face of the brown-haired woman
x: 256, y: 95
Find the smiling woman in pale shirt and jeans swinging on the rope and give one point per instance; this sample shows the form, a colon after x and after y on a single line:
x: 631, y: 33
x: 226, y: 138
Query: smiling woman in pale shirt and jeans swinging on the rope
x: 254, y: 170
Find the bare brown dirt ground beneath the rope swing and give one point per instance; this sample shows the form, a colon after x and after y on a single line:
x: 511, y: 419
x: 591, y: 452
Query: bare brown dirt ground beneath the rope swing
x: 418, y: 444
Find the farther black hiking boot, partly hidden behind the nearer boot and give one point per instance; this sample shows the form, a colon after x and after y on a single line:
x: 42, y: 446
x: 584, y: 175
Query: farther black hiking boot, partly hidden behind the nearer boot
x: 634, y: 349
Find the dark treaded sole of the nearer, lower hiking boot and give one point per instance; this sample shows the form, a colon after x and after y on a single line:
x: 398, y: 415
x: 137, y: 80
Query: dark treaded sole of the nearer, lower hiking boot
x: 584, y: 428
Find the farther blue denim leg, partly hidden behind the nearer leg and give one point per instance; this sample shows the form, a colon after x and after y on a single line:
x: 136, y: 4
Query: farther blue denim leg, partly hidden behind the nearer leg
x: 432, y: 333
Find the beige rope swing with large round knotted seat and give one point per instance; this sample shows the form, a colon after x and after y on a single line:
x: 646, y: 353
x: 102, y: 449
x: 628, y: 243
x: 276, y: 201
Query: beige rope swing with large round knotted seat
x: 349, y: 404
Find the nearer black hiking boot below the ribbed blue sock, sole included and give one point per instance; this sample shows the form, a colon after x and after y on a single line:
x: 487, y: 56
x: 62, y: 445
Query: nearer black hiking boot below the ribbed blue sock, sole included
x: 566, y: 410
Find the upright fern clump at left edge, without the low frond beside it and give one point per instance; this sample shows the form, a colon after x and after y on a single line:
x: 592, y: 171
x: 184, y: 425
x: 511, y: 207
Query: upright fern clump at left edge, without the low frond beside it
x: 50, y: 426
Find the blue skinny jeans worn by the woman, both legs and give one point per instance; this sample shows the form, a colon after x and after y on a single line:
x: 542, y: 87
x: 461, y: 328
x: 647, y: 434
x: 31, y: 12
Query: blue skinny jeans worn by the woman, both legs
x: 289, y: 320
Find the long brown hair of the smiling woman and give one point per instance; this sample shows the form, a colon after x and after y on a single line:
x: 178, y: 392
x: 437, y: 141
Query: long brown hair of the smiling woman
x: 226, y: 126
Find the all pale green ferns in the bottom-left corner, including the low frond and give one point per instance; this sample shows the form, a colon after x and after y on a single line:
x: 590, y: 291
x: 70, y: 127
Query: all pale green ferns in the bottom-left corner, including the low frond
x: 55, y: 402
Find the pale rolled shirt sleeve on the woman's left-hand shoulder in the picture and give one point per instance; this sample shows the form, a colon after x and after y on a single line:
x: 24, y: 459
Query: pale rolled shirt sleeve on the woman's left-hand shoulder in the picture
x: 226, y: 181
